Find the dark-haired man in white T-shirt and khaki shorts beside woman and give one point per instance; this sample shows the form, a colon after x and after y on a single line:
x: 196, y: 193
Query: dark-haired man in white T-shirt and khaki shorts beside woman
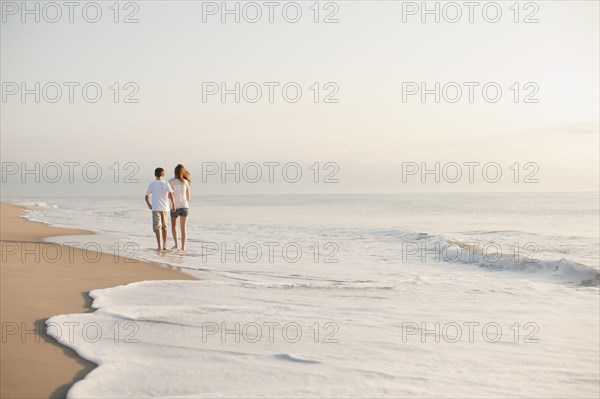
x: 158, y: 191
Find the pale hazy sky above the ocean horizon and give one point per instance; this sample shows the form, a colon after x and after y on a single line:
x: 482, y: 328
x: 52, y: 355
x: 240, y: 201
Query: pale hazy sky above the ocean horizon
x: 368, y: 133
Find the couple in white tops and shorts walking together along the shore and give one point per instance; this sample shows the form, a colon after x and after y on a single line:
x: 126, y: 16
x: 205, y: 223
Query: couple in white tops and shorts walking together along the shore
x: 158, y: 195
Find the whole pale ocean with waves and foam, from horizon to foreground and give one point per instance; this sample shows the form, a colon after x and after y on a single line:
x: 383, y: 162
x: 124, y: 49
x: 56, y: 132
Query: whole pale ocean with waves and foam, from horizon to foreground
x: 391, y: 295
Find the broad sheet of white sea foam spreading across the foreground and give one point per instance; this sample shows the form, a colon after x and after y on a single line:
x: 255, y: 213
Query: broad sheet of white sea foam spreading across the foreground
x: 183, y: 340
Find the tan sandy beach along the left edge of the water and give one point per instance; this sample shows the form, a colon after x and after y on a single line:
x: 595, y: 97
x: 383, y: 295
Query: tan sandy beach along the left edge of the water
x: 37, y: 284
